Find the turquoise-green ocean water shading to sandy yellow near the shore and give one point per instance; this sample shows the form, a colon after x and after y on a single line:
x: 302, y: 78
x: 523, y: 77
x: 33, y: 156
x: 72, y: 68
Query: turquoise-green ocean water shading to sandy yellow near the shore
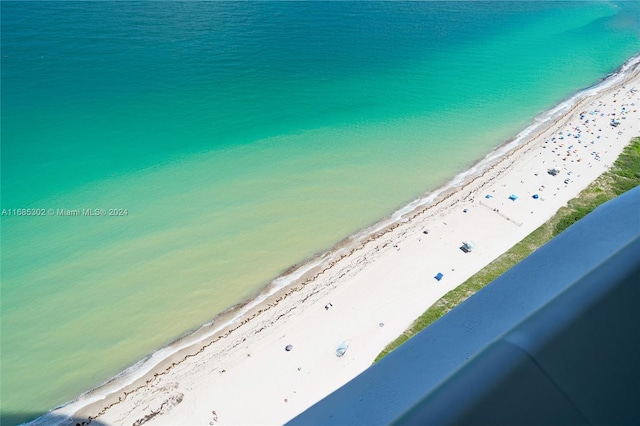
x: 235, y: 139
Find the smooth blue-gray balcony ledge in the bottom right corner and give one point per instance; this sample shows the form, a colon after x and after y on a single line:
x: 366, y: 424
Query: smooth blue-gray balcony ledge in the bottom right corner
x: 553, y: 341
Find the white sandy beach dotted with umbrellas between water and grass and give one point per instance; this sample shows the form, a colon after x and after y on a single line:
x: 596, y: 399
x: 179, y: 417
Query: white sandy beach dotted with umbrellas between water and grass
x: 372, y: 287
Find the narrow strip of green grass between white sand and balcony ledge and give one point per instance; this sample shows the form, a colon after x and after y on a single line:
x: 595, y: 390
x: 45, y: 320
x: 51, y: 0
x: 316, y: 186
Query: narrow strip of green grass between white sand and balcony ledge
x: 623, y: 176
